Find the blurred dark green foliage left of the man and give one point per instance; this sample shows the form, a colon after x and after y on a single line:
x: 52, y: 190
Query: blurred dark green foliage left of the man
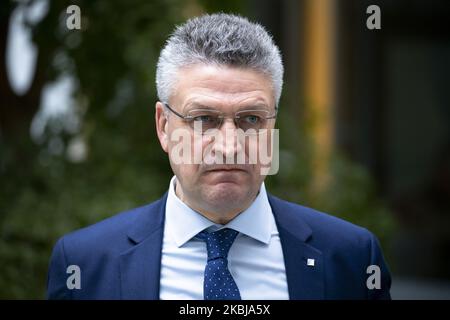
x: 45, y: 195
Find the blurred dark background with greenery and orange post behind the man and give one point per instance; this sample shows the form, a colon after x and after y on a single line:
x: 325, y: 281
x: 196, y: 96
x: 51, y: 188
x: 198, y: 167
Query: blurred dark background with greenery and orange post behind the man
x: 364, y: 123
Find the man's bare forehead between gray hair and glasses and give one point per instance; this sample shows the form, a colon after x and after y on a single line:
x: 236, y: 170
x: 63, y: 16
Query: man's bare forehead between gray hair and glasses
x: 222, y: 86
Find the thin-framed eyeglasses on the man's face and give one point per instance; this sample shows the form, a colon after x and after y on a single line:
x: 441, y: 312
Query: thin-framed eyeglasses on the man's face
x: 250, y: 121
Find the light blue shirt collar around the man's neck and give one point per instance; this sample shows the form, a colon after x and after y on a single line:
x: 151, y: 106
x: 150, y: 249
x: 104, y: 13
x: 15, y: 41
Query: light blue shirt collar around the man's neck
x: 184, y: 223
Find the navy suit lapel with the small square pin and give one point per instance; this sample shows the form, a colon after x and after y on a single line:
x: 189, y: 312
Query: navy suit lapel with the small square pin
x: 305, y: 280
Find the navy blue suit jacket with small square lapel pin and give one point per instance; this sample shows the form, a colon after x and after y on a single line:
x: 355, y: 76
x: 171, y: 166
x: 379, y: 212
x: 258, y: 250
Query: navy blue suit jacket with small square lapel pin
x: 120, y: 257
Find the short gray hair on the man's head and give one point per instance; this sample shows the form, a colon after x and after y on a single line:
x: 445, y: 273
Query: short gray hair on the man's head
x: 222, y: 39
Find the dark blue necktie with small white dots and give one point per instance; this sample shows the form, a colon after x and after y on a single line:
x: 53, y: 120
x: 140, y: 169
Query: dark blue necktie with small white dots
x: 218, y: 283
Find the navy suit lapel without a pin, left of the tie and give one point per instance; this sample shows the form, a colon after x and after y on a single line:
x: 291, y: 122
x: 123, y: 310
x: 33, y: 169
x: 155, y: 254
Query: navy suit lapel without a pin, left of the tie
x: 141, y: 264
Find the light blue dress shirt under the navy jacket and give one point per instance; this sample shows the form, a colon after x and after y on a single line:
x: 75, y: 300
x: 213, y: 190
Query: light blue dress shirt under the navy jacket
x: 255, y: 259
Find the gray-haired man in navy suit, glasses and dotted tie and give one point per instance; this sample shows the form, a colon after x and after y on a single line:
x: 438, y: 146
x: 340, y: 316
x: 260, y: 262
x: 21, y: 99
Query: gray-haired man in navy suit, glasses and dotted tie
x: 217, y: 233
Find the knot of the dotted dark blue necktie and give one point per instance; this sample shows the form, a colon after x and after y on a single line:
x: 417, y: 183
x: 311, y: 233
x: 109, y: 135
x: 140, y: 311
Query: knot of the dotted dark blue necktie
x: 218, y: 243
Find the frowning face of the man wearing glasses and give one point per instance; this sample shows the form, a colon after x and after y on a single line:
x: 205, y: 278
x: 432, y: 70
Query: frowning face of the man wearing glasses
x: 219, y: 191
